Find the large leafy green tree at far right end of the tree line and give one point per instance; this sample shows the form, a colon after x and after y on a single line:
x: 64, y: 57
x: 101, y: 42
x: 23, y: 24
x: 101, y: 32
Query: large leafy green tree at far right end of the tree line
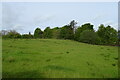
x: 108, y: 35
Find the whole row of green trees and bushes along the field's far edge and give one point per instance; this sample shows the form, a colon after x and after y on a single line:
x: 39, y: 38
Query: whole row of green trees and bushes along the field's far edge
x: 105, y: 35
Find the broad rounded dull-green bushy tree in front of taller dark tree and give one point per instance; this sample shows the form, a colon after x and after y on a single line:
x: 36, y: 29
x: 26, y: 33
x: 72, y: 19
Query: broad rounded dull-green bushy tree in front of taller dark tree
x: 89, y: 36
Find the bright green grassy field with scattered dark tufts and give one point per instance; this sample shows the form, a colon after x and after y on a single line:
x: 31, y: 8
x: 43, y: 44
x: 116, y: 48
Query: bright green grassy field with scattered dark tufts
x: 51, y: 58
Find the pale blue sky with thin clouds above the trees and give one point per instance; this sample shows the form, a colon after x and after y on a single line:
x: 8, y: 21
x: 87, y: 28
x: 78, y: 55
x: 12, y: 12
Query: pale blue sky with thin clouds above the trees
x: 25, y: 17
